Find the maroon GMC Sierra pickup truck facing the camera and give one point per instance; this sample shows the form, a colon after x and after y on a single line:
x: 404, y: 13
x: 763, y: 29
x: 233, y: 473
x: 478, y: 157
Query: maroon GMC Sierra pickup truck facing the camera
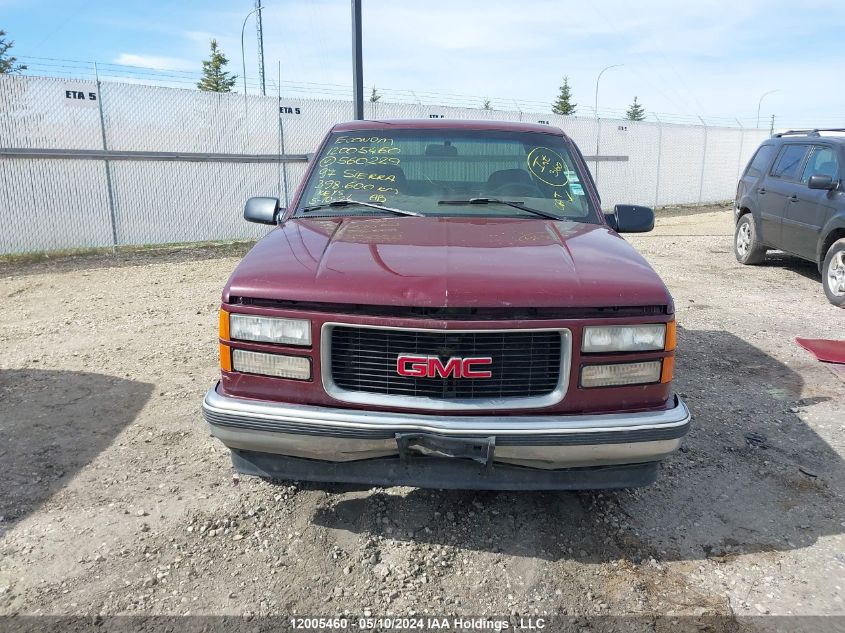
x: 445, y: 305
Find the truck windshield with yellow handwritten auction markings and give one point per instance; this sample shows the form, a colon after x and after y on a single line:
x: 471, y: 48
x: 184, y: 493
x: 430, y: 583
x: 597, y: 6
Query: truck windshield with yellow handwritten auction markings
x: 446, y: 172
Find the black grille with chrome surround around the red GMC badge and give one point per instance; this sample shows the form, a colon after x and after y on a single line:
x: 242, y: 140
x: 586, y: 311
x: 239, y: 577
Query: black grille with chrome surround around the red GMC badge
x: 529, y: 367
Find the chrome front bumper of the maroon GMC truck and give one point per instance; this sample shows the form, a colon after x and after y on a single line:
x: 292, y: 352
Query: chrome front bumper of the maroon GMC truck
x: 537, y: 441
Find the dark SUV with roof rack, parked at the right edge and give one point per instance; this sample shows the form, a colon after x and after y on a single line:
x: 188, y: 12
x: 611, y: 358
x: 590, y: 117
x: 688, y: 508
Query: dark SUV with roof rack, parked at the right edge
x: 790, y: 198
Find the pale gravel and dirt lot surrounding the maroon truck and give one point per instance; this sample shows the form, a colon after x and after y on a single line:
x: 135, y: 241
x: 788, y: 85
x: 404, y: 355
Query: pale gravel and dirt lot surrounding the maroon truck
x: 114, y: 499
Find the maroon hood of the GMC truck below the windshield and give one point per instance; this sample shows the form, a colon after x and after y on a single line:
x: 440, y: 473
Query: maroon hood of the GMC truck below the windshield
x: 446, y: 262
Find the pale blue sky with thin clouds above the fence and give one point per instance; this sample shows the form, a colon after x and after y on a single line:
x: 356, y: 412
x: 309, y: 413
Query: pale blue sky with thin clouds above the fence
x: 705, y: 58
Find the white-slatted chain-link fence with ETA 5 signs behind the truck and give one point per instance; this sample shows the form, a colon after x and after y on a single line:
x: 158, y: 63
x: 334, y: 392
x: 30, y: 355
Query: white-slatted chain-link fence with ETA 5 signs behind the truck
x: 91, y: 165
